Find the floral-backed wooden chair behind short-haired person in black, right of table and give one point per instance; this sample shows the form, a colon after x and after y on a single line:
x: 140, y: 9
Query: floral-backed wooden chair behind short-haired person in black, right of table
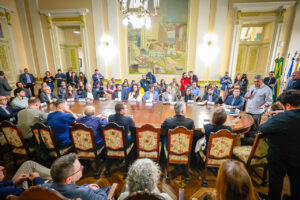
x: 220, y: 147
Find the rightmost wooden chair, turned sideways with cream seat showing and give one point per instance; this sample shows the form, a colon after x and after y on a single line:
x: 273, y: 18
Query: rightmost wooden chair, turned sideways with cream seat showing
x: 254, y: 156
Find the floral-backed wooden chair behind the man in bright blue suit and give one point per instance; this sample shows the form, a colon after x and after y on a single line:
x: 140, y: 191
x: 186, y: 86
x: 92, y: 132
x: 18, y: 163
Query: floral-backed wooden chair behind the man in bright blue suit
x: 49, y: 140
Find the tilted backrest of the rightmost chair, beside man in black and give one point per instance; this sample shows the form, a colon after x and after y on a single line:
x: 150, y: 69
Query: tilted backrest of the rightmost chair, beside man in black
x: 259, y: 149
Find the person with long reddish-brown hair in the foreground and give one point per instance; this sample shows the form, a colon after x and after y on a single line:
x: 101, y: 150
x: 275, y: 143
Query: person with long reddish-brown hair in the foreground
x: 233, y: 183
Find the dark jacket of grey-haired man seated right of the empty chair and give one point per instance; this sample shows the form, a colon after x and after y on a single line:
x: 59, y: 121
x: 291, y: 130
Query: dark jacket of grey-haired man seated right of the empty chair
x: 178, y: 120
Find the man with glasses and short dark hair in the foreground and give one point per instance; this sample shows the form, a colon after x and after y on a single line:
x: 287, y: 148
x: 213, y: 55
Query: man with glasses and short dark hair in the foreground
x: 65, y: 172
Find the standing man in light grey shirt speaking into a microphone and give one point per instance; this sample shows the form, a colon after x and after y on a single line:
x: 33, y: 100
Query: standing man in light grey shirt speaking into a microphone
x: 258, y: 98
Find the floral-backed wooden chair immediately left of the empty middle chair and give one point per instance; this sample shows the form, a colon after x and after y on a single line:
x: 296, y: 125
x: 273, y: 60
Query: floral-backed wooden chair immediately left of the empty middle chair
x: 115, y: 145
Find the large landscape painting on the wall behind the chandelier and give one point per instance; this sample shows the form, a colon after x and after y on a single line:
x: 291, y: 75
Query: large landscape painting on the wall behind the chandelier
x: 162, y: 49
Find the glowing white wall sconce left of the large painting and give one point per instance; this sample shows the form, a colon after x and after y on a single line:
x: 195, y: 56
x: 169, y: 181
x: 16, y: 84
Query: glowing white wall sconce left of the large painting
x: 107, y: 48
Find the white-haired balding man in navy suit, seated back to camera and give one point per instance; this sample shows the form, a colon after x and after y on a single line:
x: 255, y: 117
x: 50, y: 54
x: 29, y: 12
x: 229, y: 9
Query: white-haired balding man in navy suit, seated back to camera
x: 95, y: 123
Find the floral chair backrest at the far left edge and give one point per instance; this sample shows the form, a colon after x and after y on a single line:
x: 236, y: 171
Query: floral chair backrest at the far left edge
x: 12, y: 134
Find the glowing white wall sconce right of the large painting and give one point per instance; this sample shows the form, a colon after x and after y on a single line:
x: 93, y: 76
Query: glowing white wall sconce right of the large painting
x: 208, y: 51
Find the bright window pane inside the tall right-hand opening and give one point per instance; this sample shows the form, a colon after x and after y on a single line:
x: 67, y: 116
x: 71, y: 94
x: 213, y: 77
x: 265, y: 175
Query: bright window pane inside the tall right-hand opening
x: 251, y: 34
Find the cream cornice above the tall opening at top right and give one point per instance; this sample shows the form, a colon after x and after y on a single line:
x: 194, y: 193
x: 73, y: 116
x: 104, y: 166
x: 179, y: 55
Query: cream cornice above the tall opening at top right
x: 263, y: 6
